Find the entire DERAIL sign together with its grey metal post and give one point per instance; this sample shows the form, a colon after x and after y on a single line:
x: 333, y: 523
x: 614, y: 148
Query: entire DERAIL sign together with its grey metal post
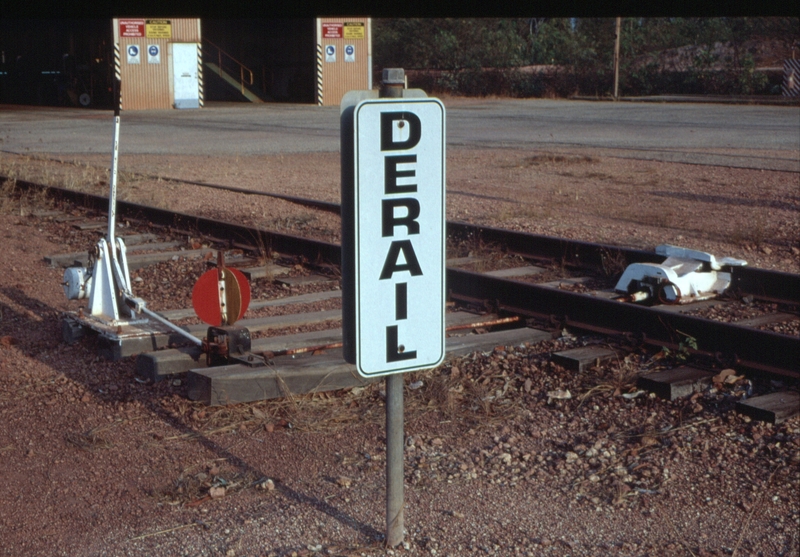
x: 393, y: 250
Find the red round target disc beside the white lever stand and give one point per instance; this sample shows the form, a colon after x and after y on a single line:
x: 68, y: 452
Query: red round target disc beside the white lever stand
x: 205, y: 296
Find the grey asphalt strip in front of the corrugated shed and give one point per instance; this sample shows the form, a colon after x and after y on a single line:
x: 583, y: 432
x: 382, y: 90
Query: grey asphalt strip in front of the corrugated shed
x: 753, y: 136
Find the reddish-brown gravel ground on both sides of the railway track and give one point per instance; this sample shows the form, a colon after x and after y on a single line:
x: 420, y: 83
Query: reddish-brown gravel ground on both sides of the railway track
x: 498, y: 461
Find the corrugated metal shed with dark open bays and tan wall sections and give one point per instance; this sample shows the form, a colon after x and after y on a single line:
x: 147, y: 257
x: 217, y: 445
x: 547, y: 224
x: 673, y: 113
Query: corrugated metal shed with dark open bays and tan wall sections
x: 170, y: 63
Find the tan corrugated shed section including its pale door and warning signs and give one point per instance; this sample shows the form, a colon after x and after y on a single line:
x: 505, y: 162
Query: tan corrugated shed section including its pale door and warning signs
x: 159, y: 62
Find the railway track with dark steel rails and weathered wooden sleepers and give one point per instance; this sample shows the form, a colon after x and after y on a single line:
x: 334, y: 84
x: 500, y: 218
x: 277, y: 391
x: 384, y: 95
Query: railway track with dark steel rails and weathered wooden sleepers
x: 515, y: 303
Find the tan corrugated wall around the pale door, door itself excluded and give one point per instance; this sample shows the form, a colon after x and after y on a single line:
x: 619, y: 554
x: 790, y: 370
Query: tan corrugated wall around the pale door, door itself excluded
x: 148, y: 85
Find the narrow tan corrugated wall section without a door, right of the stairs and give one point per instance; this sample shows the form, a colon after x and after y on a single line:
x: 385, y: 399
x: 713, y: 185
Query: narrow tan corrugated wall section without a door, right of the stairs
x: 337, y: 77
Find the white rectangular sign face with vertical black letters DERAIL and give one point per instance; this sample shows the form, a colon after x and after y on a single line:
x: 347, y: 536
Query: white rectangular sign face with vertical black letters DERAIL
x: 398, y: 218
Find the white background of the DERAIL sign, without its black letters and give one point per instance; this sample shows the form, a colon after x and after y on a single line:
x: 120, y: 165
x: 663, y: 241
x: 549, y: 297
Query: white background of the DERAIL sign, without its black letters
x: 424, y: 333
